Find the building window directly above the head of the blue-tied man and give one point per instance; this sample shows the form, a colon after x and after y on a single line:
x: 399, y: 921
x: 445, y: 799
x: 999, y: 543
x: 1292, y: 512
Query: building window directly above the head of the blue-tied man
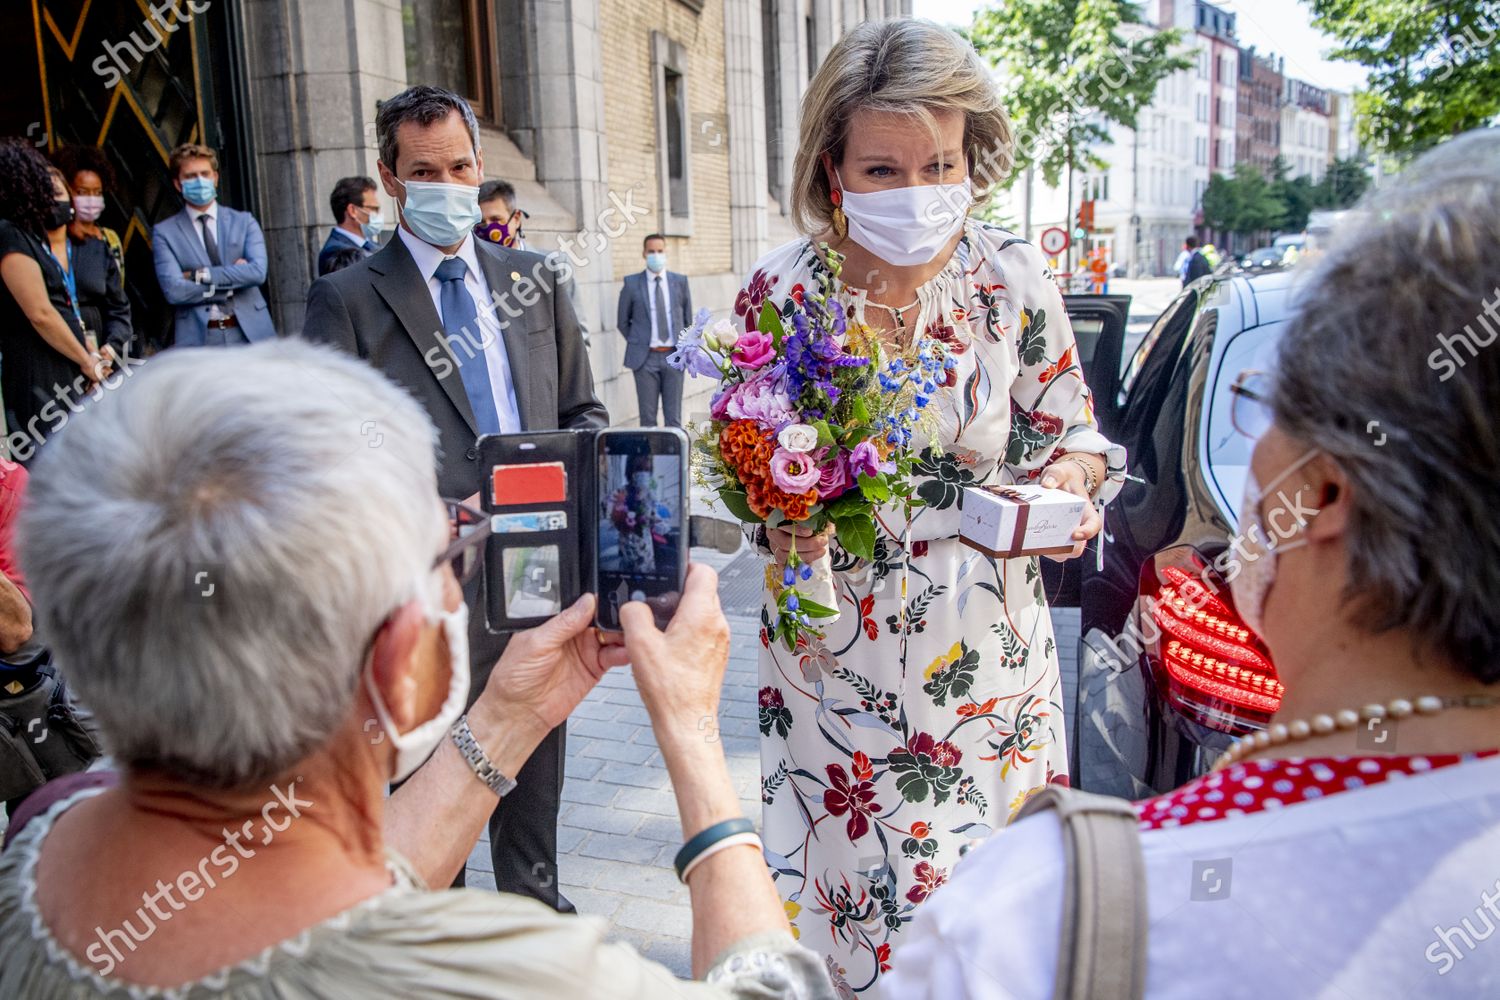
x: 452, y: 44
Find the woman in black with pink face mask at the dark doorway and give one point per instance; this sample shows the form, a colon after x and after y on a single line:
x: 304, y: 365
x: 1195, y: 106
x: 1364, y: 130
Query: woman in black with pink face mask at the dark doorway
x: 98, y: 257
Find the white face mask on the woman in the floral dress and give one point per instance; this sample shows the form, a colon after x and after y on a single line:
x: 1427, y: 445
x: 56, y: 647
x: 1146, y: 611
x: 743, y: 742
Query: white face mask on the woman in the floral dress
x: 907, y: 226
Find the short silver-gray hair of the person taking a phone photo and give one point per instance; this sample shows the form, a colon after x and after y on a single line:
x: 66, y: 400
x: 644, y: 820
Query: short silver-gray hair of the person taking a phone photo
x: 214, y: 545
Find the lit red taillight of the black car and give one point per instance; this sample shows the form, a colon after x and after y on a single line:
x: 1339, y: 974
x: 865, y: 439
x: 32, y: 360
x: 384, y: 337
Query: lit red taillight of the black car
x: 1217, y: 669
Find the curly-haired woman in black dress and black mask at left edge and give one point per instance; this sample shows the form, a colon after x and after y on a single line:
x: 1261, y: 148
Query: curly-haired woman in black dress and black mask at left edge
x: 41, y: 334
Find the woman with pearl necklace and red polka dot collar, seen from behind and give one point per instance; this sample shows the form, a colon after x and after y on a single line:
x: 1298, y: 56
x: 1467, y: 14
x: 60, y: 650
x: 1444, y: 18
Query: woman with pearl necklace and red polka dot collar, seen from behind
x: 1354, y: 848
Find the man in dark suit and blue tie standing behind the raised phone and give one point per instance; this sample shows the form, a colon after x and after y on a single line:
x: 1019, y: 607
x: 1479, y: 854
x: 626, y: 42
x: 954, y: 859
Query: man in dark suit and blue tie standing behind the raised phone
x: 482, y: 338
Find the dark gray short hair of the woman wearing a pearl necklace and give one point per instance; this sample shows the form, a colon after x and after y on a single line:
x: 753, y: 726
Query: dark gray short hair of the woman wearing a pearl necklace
x: 1388, y: 368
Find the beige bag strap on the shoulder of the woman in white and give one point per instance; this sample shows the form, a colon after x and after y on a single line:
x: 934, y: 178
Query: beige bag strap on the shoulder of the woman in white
x: 1102, y: 954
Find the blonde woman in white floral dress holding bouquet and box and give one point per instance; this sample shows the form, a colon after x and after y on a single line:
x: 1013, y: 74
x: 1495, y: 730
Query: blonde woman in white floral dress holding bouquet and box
x: 934, y: 707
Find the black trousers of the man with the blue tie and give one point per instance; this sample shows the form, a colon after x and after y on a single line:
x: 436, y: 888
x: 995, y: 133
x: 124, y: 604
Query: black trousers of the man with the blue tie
x: 524, y: 827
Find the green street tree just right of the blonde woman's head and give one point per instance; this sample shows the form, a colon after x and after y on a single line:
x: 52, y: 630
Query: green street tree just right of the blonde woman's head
x: 1069, y: 71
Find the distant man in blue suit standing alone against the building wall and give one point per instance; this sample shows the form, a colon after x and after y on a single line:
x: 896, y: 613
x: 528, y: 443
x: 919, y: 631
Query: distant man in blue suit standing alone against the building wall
x: 655, y: 308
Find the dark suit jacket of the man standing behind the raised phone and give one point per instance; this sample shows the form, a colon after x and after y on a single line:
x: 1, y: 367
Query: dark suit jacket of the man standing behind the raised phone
x: 382, y: 311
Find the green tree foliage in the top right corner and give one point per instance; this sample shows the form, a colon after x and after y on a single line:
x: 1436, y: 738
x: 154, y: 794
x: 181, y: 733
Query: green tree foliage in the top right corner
x: 1435, y: 67
